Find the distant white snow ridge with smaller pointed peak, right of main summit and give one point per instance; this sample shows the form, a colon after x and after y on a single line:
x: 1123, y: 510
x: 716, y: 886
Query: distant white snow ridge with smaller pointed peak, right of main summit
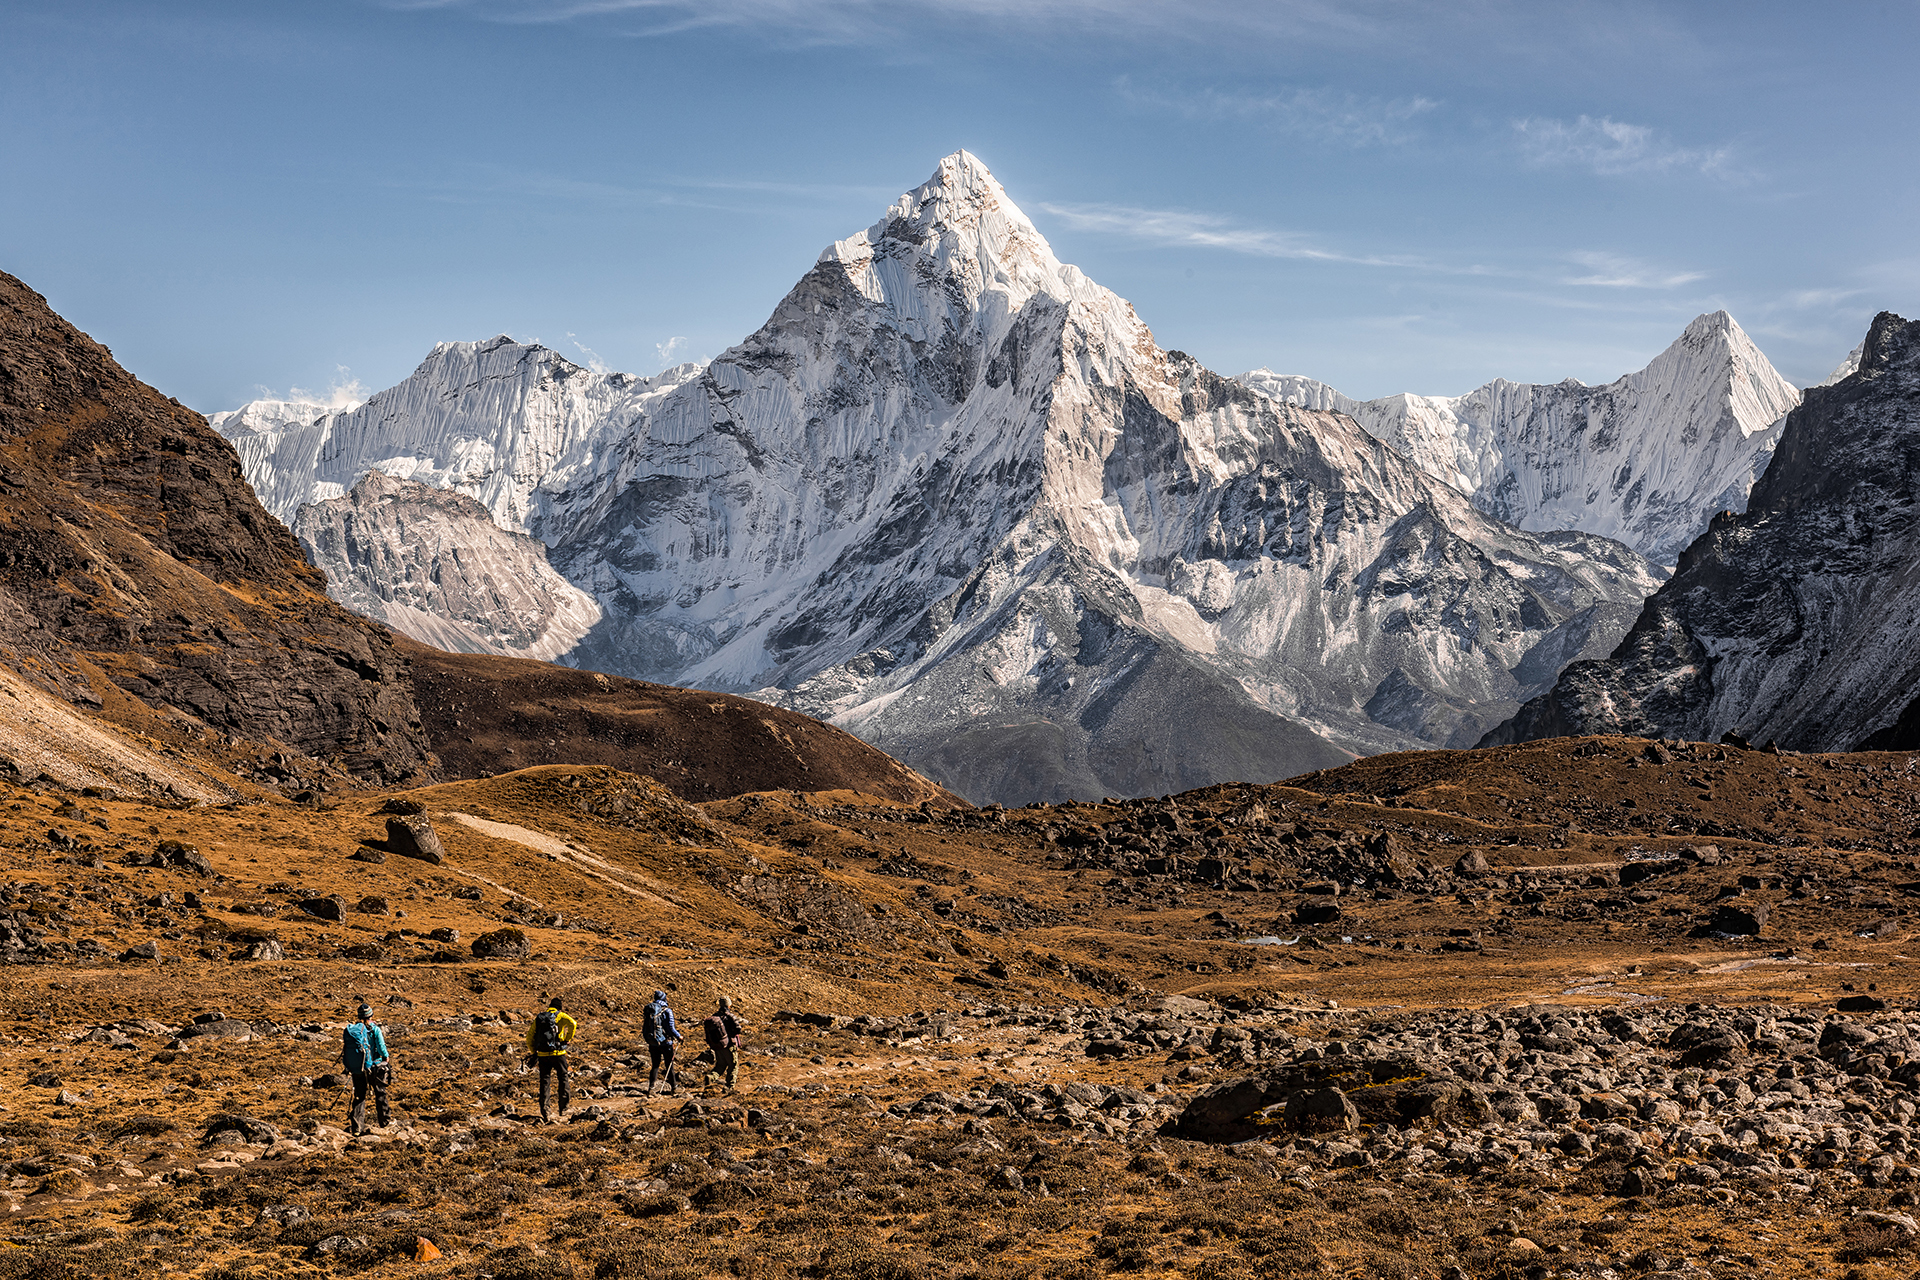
x: 1646, y: 460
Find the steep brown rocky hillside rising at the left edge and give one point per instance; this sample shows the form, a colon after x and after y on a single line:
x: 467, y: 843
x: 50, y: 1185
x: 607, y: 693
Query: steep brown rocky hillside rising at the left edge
x: 137, y: 561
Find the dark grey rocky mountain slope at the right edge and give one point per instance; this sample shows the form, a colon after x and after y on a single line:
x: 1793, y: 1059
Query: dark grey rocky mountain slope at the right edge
x: 1796, y: 621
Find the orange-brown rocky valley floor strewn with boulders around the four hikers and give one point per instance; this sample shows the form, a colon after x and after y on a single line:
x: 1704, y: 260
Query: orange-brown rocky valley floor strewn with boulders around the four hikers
x: 1581, y: 1008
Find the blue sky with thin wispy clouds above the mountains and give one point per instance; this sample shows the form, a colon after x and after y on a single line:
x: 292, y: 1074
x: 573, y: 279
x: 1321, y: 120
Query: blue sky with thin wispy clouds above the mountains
x: 254, y: 197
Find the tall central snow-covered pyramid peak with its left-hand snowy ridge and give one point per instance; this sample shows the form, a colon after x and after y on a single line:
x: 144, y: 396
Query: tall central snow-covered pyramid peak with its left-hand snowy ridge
x: 955, y: 498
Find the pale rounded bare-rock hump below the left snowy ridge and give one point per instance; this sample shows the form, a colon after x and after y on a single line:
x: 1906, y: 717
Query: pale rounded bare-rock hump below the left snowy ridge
x: 431, y: 563
